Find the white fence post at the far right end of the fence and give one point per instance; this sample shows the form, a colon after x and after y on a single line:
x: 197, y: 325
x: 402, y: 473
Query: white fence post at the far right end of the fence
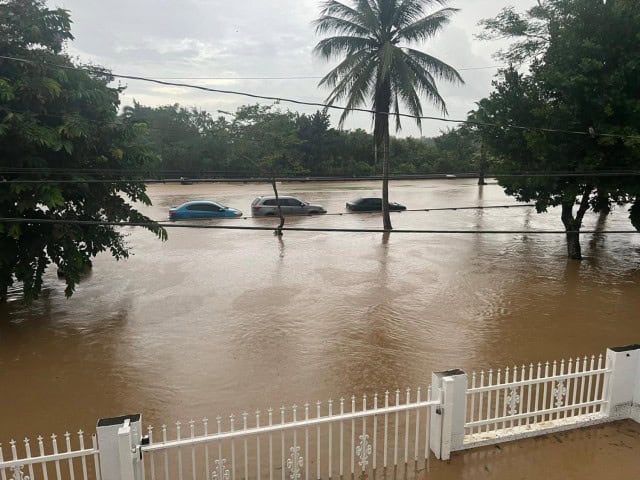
x: 623, y: 387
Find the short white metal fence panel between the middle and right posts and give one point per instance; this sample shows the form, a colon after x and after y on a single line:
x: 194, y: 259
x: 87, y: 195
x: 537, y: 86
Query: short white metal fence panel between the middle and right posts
x: 510, y: 402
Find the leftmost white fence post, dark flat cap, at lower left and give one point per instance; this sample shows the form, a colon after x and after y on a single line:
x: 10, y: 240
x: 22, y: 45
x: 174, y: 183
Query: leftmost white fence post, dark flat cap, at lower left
x: 118, y: 442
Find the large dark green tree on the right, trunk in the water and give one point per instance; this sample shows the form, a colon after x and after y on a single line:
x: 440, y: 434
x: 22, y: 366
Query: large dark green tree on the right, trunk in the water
x: 586, y: 80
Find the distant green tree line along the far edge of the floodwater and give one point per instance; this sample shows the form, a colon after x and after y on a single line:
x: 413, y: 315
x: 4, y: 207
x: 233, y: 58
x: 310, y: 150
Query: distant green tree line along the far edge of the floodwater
x: 257, y: 140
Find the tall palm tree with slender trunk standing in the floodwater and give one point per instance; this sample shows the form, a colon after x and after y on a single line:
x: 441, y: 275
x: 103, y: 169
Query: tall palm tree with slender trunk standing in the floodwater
x: 377, y: 68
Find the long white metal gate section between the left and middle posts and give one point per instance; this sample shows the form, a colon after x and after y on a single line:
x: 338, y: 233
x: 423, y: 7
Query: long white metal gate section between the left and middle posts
x: 308, y: 442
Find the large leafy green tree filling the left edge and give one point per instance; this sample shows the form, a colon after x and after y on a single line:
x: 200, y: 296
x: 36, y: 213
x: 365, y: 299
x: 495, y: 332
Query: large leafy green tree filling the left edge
x: 56, y: 121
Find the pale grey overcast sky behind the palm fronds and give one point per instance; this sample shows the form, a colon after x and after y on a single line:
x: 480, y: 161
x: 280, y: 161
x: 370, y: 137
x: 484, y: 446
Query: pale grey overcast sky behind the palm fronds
x: 255, y: 38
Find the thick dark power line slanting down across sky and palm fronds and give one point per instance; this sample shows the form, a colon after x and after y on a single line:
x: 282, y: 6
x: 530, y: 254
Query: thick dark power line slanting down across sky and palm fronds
x: 315, y: 104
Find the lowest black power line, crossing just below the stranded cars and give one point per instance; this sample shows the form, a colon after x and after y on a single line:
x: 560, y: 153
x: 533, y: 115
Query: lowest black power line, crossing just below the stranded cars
x: 305, y: 229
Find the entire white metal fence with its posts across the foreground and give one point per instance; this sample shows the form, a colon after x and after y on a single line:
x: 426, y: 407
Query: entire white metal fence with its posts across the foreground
x: 348, y: 438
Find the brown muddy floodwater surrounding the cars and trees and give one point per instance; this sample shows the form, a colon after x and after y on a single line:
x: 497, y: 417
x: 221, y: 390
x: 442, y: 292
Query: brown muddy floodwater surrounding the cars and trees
x: 218, y: 321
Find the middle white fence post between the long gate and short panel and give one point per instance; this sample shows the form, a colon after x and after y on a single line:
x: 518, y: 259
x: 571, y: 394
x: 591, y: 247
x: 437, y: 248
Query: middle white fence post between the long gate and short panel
x: 447, y: 420
